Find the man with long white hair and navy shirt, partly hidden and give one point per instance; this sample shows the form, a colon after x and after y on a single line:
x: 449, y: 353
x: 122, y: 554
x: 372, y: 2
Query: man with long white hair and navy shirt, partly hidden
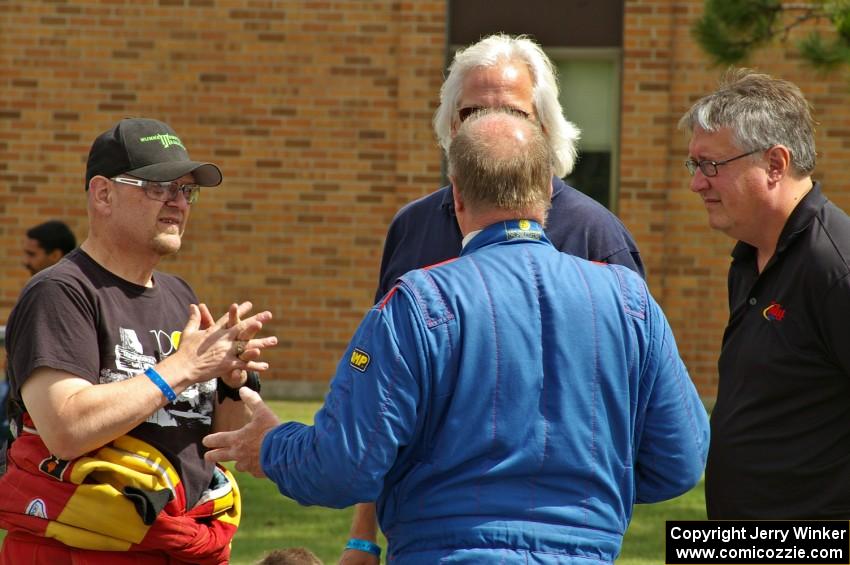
x: 514, y: 75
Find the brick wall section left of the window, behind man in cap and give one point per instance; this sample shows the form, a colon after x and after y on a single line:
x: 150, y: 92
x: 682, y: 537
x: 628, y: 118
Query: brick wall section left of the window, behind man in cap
x: 318, y: 113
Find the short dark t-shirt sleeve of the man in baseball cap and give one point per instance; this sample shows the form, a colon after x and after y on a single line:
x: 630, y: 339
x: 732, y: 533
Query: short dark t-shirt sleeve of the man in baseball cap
x: 52, y: 325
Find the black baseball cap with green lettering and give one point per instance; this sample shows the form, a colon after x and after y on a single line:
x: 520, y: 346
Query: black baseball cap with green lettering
x: 146, y: 149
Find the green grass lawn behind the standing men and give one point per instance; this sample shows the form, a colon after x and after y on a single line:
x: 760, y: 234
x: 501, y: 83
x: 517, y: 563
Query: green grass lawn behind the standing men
x: 270, y: 521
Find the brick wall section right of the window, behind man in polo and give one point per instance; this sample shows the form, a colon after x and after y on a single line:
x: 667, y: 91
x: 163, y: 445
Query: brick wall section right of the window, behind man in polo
x: 664, y: 72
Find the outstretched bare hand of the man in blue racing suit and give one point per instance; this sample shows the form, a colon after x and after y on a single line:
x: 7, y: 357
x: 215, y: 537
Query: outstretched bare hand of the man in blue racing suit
x: 243, y: 445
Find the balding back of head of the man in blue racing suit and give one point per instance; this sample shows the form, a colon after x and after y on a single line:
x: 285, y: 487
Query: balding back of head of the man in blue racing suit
x: 502, y: 161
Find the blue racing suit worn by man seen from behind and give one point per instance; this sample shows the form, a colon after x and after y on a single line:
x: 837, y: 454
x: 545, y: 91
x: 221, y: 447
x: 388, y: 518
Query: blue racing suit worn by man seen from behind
x: 510, y: 405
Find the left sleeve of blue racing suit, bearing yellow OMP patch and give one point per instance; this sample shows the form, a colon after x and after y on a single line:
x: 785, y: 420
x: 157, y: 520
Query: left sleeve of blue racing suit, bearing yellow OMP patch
x: 369, y: 414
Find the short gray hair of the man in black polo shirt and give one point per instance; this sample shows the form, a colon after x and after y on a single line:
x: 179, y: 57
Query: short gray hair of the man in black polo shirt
x: 761, y: 111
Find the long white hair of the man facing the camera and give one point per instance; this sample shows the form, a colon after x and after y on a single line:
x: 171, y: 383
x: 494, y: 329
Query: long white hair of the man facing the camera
x: 490, y: 52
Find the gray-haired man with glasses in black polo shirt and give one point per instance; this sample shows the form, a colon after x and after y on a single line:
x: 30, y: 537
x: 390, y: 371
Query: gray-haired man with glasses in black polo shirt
x: 780, y: 431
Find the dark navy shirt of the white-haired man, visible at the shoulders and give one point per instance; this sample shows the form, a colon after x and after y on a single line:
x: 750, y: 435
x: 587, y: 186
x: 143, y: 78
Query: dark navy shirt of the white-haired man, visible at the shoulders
x: 425, y: 232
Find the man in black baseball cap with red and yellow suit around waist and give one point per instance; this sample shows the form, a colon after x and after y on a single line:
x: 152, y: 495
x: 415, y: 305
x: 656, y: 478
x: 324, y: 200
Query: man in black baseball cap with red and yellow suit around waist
x: 94, y: 366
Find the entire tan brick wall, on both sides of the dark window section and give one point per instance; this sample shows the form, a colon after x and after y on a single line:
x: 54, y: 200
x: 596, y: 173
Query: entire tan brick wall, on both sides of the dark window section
x: 318, y: 112
